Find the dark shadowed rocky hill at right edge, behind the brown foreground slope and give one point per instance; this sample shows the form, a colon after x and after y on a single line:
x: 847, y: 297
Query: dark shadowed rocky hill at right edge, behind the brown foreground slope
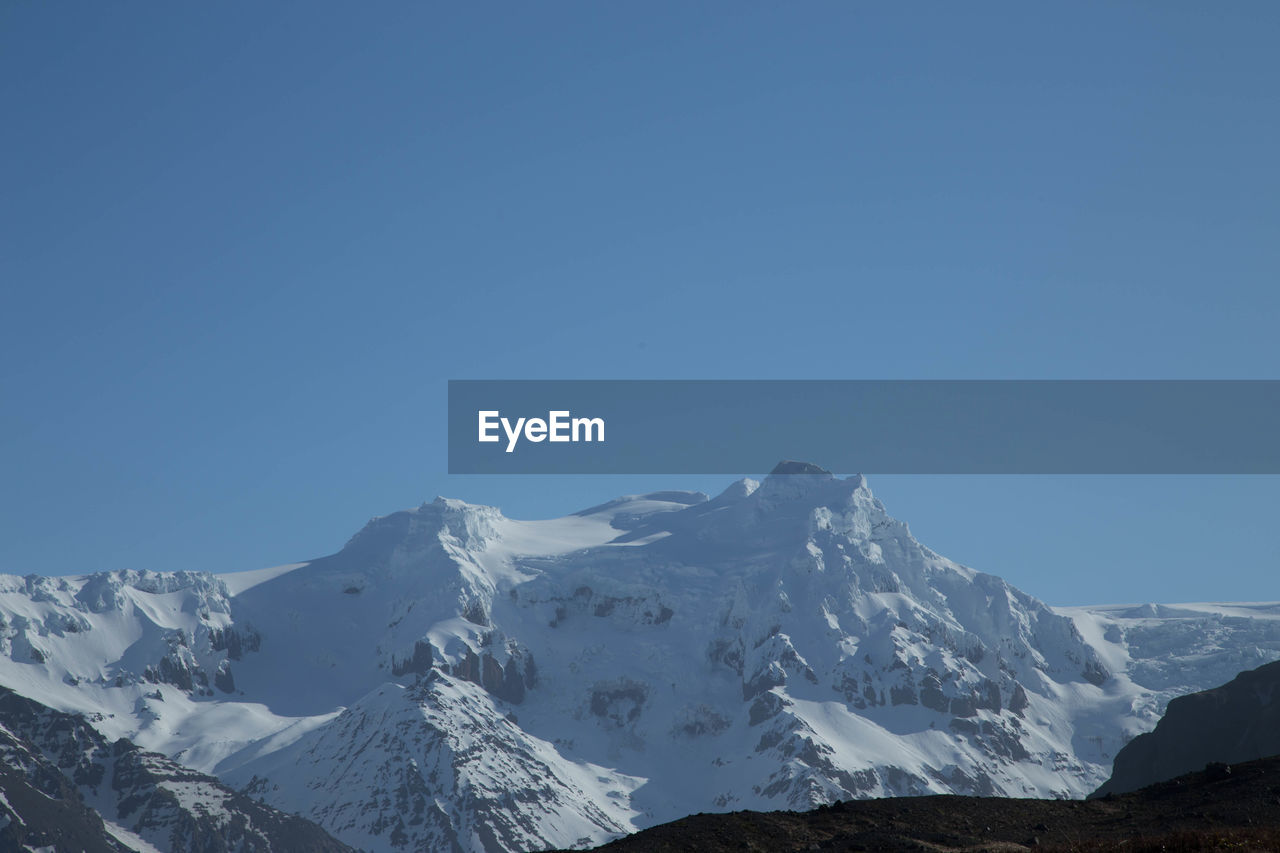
x: 1236, y: 723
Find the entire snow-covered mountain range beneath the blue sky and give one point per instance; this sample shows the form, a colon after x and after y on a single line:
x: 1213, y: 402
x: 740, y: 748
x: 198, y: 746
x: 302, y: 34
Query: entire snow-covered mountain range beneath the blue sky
x: 455, y: 679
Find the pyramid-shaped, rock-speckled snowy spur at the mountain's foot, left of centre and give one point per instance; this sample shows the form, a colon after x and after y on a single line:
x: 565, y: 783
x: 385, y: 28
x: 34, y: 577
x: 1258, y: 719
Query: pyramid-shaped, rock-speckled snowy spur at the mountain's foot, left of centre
x: 440, y: 768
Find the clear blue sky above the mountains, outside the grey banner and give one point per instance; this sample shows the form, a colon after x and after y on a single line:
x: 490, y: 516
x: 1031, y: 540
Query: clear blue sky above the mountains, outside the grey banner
x: 244, y: 247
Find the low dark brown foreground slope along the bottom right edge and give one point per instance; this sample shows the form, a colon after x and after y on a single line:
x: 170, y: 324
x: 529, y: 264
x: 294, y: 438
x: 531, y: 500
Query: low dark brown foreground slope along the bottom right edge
x: 1223, y: 808
